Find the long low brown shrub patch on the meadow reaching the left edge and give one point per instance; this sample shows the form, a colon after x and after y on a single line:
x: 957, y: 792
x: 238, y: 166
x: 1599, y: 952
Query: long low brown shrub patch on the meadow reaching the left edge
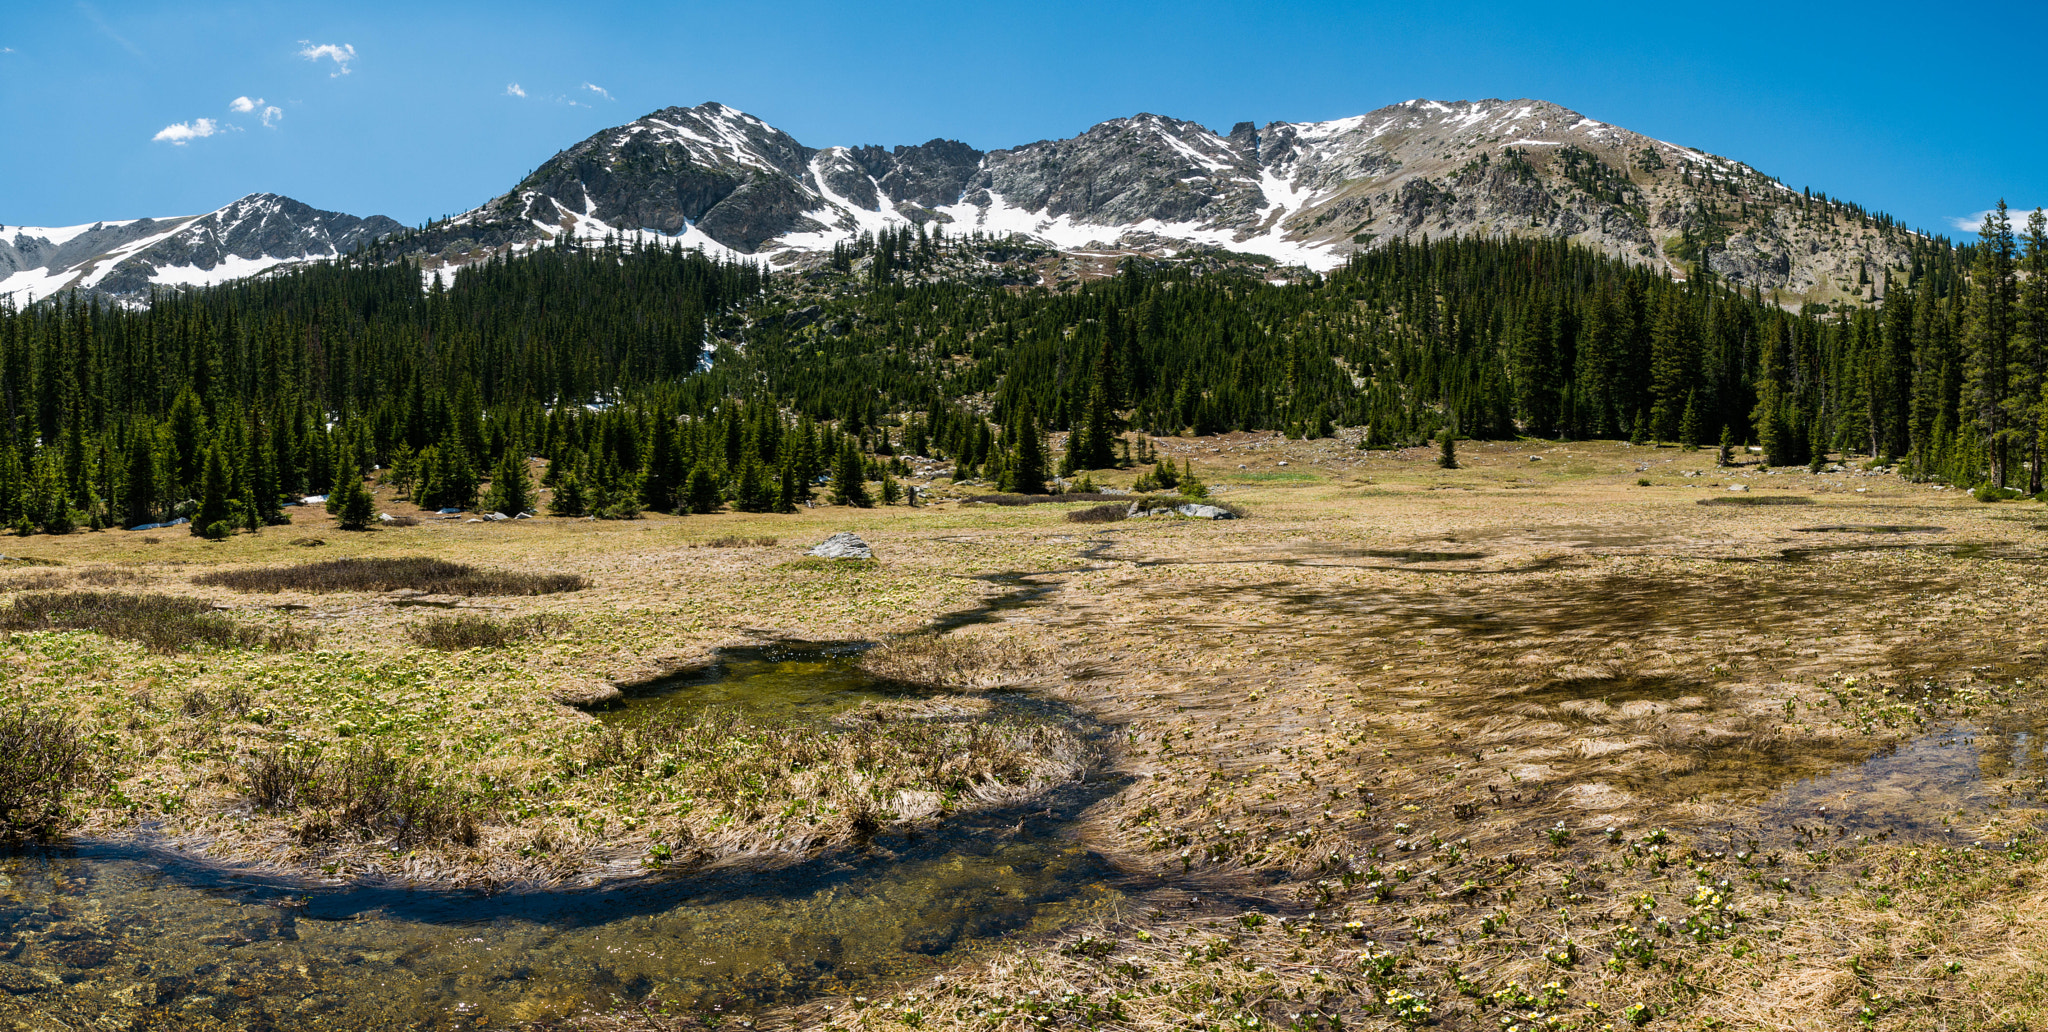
x: 161, y: 623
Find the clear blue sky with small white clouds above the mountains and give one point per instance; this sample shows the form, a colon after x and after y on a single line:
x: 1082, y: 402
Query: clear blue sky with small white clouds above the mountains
x: 423, y: 110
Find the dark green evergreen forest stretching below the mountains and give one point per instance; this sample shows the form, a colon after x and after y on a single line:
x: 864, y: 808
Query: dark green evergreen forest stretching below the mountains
x: 658, y: 380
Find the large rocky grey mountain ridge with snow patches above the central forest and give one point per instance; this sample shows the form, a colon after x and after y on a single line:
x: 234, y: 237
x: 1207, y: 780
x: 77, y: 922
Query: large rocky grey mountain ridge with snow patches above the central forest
x: 1302, y: 193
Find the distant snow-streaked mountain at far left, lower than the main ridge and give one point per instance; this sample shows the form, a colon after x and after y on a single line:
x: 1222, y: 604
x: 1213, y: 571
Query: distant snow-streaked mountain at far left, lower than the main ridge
x: 126, y: 259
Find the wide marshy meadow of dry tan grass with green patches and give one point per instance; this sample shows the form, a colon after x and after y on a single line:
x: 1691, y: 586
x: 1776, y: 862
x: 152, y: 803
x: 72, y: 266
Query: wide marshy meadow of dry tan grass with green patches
x: 1375, y: 703
